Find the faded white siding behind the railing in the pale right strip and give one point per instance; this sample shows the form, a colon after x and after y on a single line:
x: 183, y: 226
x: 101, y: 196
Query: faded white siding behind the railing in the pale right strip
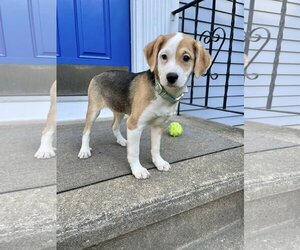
x: 286, y: 97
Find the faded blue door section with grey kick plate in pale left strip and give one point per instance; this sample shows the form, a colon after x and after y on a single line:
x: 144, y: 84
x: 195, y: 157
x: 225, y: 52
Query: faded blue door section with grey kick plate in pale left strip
x: 27, y: 46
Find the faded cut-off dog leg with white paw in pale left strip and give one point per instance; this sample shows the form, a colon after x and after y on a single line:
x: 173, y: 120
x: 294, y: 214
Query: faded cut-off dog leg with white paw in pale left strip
x: 46, y: 149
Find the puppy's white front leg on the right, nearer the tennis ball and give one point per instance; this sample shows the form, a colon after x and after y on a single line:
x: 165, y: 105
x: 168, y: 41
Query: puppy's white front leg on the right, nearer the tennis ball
x: 159, y: 162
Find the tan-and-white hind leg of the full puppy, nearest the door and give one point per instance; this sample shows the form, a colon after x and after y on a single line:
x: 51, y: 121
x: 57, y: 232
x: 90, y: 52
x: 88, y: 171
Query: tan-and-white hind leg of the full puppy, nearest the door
x: 95, y: 105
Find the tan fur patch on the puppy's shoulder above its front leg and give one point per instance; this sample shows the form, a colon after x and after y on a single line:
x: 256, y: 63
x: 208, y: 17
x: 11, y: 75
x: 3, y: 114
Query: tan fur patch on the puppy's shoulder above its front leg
x: 142, y: 93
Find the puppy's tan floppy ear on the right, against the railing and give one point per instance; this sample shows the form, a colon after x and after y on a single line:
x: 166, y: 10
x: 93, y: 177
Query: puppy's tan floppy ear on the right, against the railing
x: 202, y: 59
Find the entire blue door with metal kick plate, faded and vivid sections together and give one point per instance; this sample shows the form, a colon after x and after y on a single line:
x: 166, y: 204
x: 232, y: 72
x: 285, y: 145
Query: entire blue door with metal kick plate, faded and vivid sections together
x: 94, y: 34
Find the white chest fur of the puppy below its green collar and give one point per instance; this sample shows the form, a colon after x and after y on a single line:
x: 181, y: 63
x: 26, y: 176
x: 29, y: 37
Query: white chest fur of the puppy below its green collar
x: 158, y: 112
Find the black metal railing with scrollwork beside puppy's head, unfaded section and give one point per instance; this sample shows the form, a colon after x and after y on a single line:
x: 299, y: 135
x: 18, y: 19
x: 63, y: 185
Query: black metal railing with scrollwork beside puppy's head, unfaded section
x: 214, y: 40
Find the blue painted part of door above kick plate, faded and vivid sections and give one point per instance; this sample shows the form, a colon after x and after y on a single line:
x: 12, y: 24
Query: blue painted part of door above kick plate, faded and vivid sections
x: 89, y: 32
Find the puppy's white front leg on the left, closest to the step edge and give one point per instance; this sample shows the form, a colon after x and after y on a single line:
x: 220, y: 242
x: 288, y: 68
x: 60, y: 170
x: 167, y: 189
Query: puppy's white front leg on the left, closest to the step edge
x: 133, y: 151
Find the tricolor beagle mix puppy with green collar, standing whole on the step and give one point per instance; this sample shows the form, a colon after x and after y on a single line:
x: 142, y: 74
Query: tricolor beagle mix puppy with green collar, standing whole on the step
x: 148, y: 98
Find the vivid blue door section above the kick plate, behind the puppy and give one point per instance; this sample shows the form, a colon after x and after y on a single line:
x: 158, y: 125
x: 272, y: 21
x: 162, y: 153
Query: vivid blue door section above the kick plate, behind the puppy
x: 94, y: 32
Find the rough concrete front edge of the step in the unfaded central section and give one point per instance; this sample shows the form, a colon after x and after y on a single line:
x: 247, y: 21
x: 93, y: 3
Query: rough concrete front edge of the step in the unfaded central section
x: 224, y: 187
